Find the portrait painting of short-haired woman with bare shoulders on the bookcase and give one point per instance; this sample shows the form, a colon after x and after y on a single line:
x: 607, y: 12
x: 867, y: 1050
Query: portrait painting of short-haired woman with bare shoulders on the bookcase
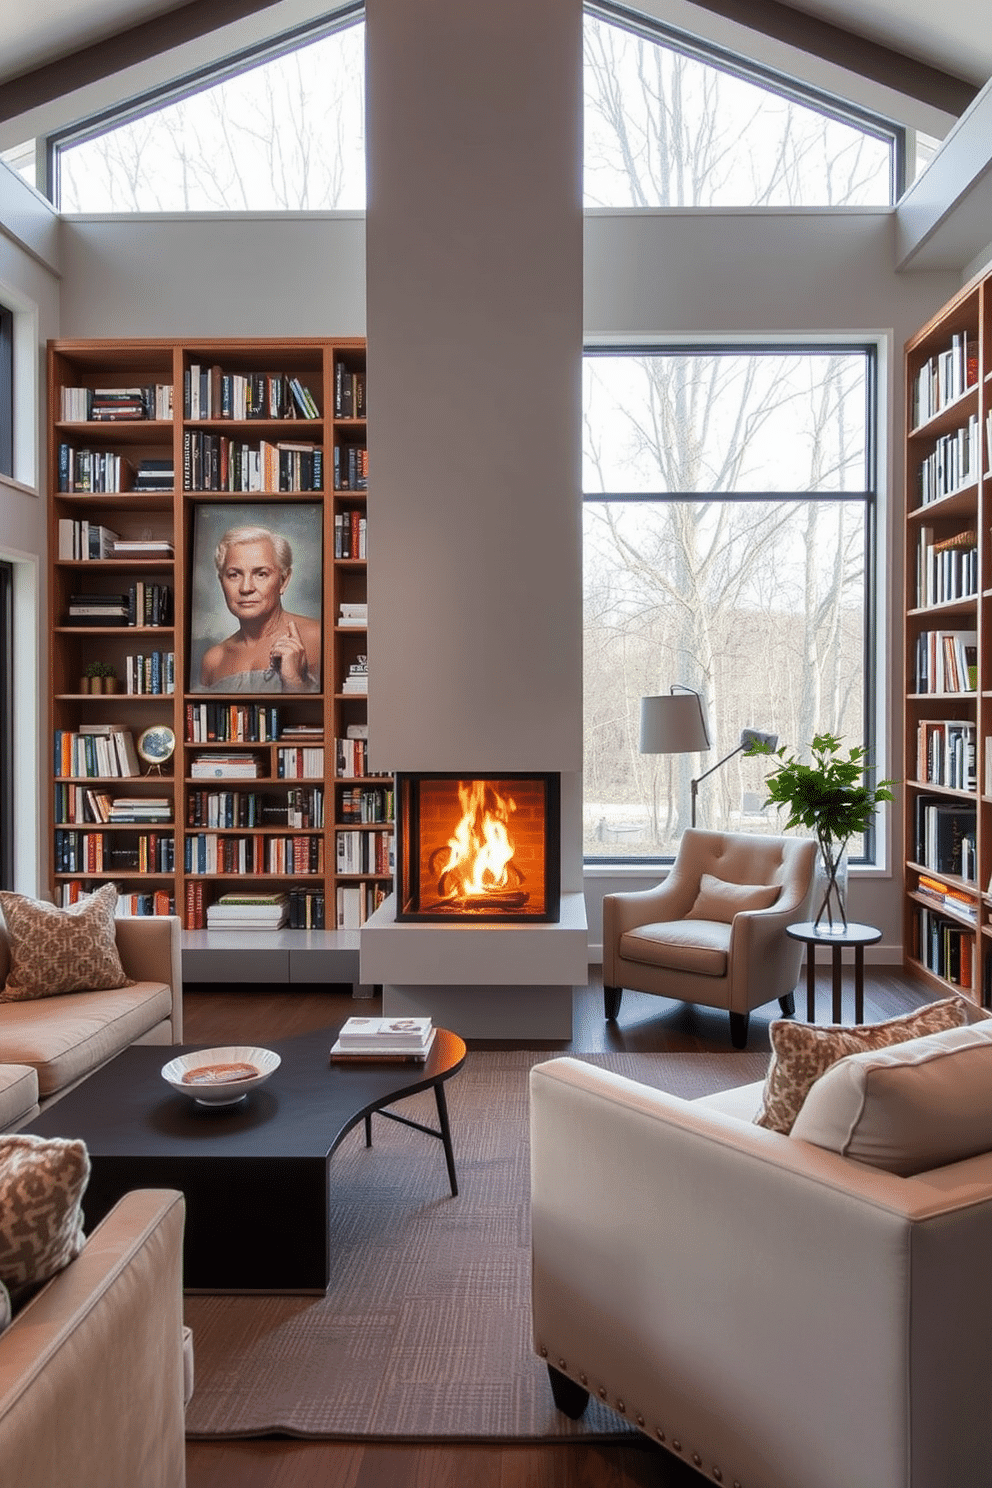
x: 255, y: 612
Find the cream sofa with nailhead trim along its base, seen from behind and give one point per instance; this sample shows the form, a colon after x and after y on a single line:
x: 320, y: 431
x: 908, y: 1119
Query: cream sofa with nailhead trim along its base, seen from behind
x: 774, y: 1313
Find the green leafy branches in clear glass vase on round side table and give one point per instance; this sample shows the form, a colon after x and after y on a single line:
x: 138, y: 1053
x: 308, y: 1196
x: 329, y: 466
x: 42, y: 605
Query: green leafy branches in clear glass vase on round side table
x: 832, y: 798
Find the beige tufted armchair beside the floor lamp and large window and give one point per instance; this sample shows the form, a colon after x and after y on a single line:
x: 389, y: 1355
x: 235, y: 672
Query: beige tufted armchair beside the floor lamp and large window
x: 715, y: 931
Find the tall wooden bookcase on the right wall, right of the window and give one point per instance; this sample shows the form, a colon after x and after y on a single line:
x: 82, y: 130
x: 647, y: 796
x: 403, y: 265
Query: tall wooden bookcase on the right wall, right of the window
x: 948, y: 792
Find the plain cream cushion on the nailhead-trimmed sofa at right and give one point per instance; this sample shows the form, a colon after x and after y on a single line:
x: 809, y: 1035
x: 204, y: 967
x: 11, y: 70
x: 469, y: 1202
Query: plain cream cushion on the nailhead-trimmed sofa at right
x: 915, y: 1106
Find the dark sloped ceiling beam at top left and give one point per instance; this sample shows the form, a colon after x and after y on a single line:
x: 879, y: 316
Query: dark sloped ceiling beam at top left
x: 139, y: 44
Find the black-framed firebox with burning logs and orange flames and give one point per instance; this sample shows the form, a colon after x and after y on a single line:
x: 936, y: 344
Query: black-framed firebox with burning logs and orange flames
x: 478, y: 849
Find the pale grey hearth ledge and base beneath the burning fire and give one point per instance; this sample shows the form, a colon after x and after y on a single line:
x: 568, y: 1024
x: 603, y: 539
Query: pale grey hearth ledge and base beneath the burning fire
x: 496, y: 981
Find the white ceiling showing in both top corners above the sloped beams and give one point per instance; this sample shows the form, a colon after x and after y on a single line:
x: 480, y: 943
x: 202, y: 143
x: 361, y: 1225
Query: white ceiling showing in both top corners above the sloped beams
x: 953, y: 36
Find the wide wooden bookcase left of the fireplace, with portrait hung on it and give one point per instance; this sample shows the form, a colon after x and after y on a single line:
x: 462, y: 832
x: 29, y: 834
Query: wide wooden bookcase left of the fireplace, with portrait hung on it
x: 152, y: 447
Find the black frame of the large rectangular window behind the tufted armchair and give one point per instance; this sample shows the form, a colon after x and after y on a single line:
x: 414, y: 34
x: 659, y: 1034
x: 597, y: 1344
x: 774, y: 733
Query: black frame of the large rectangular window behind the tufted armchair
x: 869, y: 498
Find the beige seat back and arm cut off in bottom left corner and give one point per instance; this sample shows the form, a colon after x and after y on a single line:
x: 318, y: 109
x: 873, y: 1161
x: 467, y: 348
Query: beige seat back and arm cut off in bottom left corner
x: 96, y: 1370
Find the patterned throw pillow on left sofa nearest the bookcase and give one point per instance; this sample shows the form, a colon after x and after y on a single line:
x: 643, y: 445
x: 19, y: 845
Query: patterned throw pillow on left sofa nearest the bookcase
x: 62, y: 950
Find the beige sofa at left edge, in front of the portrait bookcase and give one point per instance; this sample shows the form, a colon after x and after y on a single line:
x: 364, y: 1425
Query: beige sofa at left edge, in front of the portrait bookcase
x: 53, y: 1044
